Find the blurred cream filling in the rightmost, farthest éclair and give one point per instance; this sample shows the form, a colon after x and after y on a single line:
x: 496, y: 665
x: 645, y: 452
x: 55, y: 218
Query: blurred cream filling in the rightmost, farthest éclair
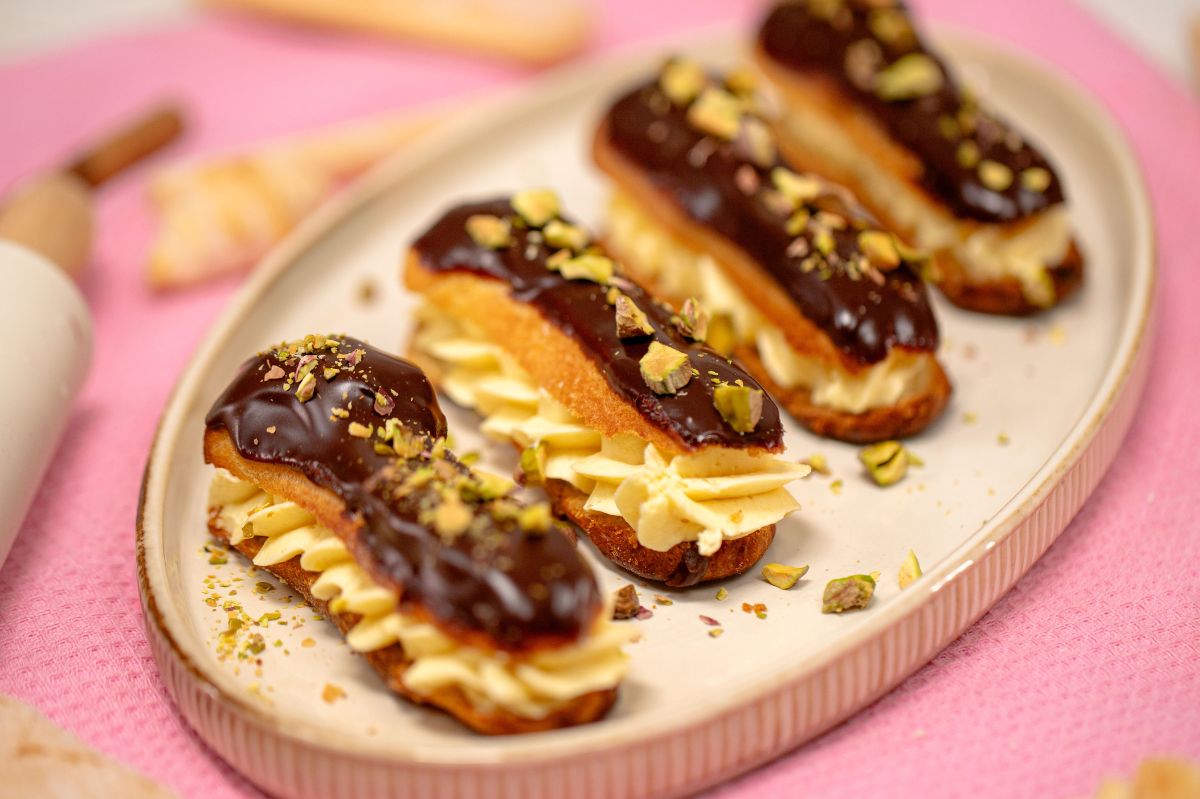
x: 988, y: 253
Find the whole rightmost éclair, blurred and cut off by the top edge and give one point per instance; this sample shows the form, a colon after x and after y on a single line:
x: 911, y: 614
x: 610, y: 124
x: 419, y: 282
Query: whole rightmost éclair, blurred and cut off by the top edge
x: 869, y: 104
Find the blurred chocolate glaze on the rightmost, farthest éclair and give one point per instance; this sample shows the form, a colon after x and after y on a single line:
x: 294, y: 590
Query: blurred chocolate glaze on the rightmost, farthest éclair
x: 851, y: 43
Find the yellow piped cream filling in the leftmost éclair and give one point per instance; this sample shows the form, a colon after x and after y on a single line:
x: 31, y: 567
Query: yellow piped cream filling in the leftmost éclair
x: 531, y: 686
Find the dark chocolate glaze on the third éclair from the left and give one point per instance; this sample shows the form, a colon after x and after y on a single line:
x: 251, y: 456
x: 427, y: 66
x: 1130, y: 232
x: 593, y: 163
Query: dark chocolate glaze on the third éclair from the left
x: 716, y: 185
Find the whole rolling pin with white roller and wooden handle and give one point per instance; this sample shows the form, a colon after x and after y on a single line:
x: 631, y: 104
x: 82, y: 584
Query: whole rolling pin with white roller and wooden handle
x: 46, y: 229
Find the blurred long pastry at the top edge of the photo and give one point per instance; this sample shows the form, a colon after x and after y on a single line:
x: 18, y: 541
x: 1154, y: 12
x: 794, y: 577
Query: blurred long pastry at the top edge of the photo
x: 525, y: 31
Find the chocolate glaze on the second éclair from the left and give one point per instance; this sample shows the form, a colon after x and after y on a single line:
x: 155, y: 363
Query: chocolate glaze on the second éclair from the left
x: 580, y: 309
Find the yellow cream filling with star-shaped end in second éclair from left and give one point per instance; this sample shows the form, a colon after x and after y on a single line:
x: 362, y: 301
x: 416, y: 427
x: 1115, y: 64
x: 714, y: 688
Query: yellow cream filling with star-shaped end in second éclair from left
x: 709, y: 497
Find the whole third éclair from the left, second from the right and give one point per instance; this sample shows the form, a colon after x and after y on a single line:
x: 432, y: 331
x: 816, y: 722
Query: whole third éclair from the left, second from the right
x: 824, y: 308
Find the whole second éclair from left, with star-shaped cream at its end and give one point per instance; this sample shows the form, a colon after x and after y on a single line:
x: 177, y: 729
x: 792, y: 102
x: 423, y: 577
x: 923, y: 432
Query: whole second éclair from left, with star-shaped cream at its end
x: 663, y: 452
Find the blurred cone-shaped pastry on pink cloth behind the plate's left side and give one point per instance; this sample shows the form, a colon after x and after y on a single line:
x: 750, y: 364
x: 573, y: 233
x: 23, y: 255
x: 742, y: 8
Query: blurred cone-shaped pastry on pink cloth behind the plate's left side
x: 220, y: 215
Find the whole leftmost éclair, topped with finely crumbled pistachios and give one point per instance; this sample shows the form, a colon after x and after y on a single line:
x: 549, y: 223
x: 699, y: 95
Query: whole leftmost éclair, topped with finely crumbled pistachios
x: 333, y: 474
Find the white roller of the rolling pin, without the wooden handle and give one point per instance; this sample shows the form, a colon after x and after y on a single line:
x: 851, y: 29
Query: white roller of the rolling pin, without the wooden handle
x: 49, y: 340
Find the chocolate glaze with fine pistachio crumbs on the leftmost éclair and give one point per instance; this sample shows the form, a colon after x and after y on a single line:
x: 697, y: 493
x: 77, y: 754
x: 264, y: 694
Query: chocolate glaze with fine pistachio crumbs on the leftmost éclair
x: 518, y: 587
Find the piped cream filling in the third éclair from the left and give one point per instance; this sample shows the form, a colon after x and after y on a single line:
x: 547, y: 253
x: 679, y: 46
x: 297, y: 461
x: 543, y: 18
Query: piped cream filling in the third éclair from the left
x: 681, y: 272
